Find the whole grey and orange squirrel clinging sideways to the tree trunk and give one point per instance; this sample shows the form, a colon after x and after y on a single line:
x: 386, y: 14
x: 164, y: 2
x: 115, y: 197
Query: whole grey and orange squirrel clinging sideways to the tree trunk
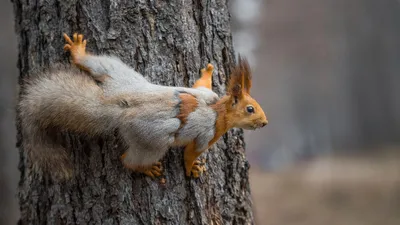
x: 105, y: 94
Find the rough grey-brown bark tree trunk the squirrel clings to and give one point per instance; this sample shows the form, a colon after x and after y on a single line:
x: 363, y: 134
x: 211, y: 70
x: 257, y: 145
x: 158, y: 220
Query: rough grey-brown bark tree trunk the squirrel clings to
x: 168, y: 42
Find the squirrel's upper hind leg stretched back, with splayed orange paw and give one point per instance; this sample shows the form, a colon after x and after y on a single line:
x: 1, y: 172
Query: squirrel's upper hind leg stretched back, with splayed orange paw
x: 100, y: 67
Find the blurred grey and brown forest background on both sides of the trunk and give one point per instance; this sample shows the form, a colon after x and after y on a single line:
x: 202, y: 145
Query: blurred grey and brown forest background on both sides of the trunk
x: 327, y: 74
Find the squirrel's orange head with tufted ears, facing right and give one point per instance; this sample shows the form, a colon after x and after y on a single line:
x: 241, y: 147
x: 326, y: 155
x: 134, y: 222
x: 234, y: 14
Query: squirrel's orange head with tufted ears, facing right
x: 244, y: 111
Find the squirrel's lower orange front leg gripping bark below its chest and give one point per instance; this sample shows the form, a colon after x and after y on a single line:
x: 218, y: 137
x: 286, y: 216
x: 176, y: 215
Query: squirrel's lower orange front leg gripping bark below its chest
x: 192, y: 166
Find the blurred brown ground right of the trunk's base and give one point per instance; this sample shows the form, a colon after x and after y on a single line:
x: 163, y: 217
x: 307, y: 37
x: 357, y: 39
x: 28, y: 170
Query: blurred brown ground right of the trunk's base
x: 355, y: 190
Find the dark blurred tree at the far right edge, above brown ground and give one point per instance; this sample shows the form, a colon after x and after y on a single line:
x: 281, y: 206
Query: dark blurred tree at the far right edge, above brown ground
x: 373, y: 36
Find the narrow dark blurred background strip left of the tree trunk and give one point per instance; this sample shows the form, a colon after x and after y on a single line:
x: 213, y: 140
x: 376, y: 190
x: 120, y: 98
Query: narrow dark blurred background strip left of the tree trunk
x: 8, y: 153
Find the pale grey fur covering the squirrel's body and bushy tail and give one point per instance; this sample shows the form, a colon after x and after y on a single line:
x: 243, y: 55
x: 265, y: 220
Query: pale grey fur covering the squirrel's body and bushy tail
x: 145, y: 113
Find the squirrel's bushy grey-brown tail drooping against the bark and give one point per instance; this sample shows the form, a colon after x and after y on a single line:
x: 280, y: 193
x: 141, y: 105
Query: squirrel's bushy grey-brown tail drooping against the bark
x: 61, y: 99
